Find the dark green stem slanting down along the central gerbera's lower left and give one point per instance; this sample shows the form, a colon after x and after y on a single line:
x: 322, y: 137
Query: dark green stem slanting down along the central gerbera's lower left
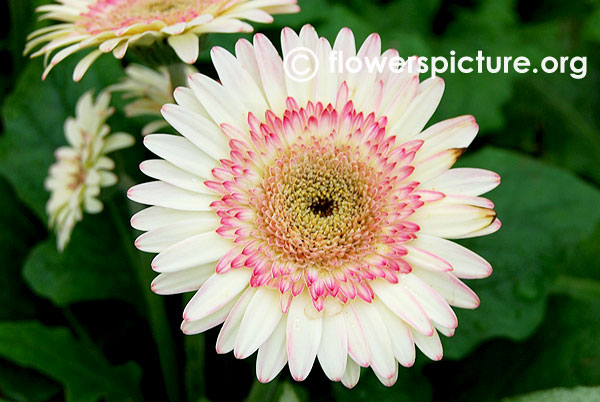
x: 157, y: 316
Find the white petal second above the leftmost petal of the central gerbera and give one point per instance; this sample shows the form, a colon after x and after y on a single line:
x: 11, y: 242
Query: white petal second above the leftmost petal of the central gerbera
x: 181, y: 153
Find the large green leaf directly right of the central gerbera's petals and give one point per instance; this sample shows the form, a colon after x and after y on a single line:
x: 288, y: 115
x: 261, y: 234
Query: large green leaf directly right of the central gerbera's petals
x: 545, y: 211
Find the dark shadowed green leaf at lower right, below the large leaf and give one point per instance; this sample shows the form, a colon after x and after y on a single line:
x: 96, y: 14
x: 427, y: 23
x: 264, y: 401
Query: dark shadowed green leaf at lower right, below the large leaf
x: 564, y: 352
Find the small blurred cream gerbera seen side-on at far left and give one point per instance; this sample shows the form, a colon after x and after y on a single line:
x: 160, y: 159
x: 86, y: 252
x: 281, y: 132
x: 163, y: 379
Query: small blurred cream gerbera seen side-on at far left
x: 82, y: 167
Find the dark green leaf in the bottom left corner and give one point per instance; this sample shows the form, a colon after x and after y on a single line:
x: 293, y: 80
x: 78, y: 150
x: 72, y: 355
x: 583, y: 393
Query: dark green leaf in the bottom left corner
x: 83, y: 371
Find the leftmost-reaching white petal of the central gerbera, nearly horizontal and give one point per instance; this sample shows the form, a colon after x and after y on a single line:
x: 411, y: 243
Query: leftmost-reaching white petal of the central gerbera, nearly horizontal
x: 165, y: 195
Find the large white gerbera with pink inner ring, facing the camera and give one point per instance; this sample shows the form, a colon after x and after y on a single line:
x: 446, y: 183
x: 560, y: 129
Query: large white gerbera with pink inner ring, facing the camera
x: 312, y: 217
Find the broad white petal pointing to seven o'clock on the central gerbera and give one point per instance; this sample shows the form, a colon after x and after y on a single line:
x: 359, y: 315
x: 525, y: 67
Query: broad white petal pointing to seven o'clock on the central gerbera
x: 261, y: 317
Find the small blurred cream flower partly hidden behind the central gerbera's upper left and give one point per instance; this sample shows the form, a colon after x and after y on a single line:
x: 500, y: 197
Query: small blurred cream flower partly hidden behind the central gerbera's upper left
x: 150, y: 89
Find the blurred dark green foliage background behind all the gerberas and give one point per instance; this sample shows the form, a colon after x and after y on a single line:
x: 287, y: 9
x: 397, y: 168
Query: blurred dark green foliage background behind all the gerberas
x: 77, y: 326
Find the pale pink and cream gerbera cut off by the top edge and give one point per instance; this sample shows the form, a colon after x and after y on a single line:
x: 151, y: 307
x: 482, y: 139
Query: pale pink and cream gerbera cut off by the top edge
x: 114, y: 25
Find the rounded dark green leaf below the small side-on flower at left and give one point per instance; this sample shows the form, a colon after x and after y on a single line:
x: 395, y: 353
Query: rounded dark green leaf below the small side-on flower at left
x: 93, y: 266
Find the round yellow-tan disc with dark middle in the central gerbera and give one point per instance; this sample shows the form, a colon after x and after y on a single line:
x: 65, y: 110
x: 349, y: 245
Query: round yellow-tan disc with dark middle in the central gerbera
x: 316, y: 205
